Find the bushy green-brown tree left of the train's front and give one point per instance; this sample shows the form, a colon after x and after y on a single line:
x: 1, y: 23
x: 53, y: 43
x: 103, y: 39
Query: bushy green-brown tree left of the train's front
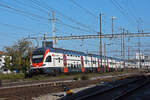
x: 20, y: 56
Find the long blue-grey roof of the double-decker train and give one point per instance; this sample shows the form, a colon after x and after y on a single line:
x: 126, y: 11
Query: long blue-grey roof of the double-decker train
x: 76, y: 53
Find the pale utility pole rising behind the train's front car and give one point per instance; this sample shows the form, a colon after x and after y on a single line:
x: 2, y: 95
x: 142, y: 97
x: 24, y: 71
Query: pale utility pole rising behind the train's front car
x: 53, y: 28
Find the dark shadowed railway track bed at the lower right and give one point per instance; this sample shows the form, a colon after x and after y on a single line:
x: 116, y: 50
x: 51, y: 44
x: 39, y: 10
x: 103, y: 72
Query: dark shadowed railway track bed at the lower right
x: 113, y: 92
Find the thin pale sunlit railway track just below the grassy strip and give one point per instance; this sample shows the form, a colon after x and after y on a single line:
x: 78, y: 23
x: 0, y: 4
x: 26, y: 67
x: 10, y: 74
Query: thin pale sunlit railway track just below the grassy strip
x: 53, y: 82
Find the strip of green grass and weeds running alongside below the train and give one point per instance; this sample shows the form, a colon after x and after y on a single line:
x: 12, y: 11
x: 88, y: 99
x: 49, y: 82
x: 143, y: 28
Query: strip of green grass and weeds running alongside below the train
x: 13, y: 77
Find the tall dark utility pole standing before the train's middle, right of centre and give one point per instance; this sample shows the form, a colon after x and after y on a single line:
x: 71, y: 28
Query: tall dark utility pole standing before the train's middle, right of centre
x: 100, y: 33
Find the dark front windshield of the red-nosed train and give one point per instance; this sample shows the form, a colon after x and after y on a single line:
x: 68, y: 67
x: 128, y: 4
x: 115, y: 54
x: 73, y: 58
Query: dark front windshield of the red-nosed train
x: 37, y: 56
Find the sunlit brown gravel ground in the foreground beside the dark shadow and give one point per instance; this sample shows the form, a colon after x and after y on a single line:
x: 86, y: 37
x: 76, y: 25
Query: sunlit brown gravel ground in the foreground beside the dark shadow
x: 45, y: 92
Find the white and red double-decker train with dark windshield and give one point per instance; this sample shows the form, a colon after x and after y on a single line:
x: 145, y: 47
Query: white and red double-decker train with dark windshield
x: 48, y: 60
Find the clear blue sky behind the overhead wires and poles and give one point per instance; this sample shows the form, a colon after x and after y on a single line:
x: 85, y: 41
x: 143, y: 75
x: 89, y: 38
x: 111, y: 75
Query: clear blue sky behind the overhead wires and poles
x: 20, y: 18
